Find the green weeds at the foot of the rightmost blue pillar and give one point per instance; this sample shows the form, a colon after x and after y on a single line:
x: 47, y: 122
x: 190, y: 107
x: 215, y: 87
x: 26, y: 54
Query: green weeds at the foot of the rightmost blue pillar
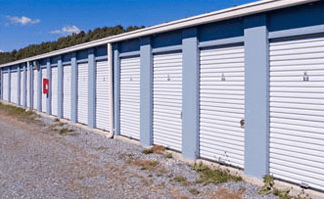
x: 268, y: 188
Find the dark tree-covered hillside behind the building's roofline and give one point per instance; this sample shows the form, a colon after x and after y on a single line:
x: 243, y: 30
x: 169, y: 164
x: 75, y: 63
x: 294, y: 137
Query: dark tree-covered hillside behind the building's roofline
x: 63, y: 42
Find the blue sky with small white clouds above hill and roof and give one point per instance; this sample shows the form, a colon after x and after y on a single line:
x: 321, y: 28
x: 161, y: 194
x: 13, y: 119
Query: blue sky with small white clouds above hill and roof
x: 32, y: 22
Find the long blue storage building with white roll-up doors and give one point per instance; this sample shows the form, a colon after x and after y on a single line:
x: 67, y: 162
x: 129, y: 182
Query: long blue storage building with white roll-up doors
x: 242, y: 86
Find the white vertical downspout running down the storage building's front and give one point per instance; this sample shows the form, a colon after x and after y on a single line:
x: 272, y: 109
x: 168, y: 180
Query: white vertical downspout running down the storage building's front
x: 111, y: 94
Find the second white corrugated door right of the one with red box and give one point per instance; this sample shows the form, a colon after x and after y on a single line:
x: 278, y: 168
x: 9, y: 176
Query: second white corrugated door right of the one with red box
x: 67, y: 92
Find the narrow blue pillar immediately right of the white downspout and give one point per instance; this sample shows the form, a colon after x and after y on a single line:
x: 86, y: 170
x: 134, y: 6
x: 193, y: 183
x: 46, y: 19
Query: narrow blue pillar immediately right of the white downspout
x: 117, y: 89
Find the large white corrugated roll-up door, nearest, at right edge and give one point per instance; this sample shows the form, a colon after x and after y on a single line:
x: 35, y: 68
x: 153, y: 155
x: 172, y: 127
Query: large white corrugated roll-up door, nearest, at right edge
x: 297, y: 111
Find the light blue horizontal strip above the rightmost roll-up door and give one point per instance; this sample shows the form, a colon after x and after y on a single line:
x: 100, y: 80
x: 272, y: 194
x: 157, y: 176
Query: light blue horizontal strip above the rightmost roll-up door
x: 297, y: 32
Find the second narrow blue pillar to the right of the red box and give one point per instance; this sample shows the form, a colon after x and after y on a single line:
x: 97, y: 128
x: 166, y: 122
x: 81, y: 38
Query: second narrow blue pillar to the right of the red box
x: 60, y: 88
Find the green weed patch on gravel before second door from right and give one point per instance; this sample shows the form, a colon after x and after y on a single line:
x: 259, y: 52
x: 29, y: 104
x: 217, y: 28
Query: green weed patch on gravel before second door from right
x: 216, y: 176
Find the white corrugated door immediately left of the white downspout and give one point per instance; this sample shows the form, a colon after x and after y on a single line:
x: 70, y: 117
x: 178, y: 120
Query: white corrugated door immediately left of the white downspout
x: 102, y: 96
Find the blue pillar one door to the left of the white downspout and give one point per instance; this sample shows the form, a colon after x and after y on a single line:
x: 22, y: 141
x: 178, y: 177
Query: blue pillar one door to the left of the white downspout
x: 91, y: 89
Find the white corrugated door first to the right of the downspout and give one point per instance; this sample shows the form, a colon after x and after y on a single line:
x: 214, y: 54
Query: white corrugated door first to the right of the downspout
x: 130, y: 97
